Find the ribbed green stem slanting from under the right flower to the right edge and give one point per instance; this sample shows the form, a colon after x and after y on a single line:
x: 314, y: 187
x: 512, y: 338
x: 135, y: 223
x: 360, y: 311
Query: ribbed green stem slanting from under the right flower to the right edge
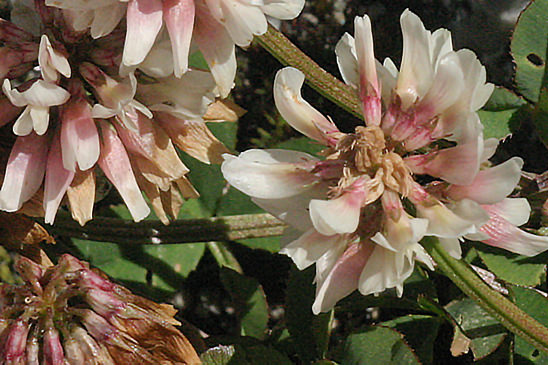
x: 498, y: 306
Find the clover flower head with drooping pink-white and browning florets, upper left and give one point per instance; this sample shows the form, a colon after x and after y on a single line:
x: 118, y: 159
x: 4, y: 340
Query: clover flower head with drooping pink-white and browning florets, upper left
x: 78, y: 114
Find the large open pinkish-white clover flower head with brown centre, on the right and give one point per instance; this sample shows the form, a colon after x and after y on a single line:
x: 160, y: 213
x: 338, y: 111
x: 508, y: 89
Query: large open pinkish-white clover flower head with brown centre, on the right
x: 418, y: 167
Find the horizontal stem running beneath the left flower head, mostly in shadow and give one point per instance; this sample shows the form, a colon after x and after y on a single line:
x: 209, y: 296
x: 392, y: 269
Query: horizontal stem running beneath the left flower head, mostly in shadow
x: 123, y: 231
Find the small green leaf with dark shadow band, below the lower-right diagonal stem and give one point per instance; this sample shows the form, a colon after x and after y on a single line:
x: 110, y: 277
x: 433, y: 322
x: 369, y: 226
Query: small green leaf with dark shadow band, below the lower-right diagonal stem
x: 485, y: 333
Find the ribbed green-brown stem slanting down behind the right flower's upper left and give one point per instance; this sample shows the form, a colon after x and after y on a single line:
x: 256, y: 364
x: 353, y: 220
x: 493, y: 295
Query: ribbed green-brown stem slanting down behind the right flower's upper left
x: 322, y: 81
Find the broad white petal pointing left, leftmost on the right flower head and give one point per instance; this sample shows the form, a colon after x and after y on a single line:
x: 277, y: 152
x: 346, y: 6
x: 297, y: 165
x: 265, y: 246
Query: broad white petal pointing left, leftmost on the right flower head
x: 270, y: 174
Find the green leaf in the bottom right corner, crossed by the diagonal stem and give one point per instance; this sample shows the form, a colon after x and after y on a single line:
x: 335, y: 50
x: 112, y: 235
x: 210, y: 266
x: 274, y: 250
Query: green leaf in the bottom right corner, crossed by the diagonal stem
x: 534, y: 304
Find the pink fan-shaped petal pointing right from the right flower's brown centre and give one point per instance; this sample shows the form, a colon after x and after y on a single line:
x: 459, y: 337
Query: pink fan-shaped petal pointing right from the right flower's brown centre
x: 456, y: 165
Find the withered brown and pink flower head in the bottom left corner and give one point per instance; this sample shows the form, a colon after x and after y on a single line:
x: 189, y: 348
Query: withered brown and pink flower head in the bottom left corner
x: 71, y: 314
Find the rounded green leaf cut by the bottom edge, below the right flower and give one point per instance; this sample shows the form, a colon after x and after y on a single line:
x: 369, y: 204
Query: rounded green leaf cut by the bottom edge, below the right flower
x: 377, y: 345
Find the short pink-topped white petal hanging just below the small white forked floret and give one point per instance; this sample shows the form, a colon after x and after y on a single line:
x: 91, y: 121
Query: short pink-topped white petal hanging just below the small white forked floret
x: 79, y: 136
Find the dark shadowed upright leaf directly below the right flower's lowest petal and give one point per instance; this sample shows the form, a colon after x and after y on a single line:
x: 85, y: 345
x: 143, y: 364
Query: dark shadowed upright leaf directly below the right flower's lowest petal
x: 309, y: 332
